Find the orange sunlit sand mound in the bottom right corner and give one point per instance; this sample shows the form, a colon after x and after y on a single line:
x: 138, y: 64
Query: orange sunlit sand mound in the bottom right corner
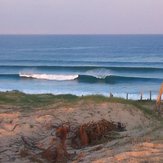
x: 142, y: 152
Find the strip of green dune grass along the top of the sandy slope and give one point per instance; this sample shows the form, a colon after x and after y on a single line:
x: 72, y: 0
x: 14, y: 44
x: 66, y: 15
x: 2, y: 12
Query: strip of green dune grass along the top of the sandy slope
x: 31, y: 101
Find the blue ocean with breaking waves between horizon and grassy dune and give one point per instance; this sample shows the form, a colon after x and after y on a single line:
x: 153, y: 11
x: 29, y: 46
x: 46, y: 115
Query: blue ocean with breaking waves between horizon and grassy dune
x: 82, y: 64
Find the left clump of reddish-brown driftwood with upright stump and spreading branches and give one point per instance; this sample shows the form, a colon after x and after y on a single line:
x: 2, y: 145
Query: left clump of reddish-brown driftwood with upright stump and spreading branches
x: 57, y: 152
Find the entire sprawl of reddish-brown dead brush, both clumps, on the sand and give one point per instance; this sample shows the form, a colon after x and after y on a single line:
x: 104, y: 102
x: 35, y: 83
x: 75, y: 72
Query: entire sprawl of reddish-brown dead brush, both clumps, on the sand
x: 86, y: 134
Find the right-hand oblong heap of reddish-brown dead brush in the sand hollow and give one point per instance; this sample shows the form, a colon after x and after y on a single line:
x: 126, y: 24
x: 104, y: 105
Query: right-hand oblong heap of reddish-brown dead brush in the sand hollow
x: 93, y: 132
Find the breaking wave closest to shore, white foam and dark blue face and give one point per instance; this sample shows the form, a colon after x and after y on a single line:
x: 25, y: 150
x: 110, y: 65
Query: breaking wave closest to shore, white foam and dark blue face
x: 87, y: 78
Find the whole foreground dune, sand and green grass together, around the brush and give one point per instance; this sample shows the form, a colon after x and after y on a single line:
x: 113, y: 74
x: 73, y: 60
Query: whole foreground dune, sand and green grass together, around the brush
x: 33, y: 117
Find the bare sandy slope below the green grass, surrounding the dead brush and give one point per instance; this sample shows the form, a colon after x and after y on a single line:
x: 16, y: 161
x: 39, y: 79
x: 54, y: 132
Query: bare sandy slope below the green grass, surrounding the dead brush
x: 137, y: 144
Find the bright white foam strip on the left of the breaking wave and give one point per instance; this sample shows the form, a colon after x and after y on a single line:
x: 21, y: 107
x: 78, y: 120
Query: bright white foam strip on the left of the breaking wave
x: 48, y: 76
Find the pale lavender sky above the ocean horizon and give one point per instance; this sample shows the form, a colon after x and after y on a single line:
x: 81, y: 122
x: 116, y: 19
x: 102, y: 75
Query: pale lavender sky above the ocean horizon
x: 81, y: 16
